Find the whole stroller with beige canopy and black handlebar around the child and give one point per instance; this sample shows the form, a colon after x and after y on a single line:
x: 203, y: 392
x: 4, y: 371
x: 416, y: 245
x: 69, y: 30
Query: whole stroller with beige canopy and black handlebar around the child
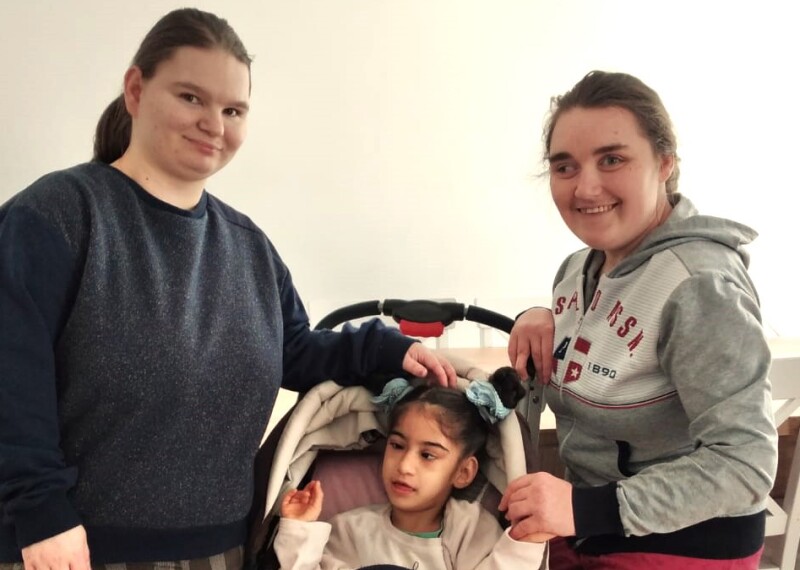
x: 336, y: 435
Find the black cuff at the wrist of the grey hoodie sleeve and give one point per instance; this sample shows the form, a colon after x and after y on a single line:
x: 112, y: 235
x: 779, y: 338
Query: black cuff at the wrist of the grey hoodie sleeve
x: 596, y: 511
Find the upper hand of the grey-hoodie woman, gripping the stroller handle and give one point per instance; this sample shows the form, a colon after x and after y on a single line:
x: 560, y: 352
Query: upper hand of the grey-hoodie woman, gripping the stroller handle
x: 532, y: 337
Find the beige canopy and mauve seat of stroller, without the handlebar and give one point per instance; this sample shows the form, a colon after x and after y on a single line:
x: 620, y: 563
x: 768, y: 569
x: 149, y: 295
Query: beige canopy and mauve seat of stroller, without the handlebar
x: 336, y: 435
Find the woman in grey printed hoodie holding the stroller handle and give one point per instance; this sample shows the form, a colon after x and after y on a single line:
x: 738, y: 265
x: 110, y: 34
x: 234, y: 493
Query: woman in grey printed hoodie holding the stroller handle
x: 653, y: 354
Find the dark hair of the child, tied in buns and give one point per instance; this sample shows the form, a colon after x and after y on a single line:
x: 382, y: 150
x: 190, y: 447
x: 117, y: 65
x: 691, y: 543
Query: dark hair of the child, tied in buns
x: 458, y: 418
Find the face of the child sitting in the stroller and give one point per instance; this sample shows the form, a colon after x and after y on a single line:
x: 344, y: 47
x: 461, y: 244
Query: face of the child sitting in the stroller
x: 421, y: 465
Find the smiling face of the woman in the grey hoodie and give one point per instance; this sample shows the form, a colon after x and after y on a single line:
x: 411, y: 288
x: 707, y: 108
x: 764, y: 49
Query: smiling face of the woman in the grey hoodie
x: 606, y: 181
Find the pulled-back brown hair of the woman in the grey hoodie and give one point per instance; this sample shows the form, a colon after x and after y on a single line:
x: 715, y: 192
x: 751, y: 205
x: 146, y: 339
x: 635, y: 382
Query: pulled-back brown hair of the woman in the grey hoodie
x: 600, y: 89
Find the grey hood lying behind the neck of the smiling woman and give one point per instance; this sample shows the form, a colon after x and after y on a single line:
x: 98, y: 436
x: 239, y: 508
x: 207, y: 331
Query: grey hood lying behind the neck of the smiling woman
x: 684, y: 225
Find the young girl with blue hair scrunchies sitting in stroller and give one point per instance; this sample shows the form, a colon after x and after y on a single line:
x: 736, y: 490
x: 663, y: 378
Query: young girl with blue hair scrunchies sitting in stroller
x: 435, y: 438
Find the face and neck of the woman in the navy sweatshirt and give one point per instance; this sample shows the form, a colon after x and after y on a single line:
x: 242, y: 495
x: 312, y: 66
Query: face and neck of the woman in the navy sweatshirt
x: 189, y: 119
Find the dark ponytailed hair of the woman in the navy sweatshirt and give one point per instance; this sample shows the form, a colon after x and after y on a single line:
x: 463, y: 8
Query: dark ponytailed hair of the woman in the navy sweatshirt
x: 186, y: 27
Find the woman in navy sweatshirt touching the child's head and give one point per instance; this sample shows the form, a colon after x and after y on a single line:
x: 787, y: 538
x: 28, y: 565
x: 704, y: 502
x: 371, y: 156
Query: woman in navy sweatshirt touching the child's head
x: 147, y: 327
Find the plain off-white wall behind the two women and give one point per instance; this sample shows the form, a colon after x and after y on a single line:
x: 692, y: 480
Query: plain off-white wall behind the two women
x: 394, y: 144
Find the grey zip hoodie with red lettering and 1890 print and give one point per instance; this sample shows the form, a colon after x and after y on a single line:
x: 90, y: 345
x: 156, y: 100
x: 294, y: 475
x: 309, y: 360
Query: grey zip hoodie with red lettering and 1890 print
x: 660, y: 389
